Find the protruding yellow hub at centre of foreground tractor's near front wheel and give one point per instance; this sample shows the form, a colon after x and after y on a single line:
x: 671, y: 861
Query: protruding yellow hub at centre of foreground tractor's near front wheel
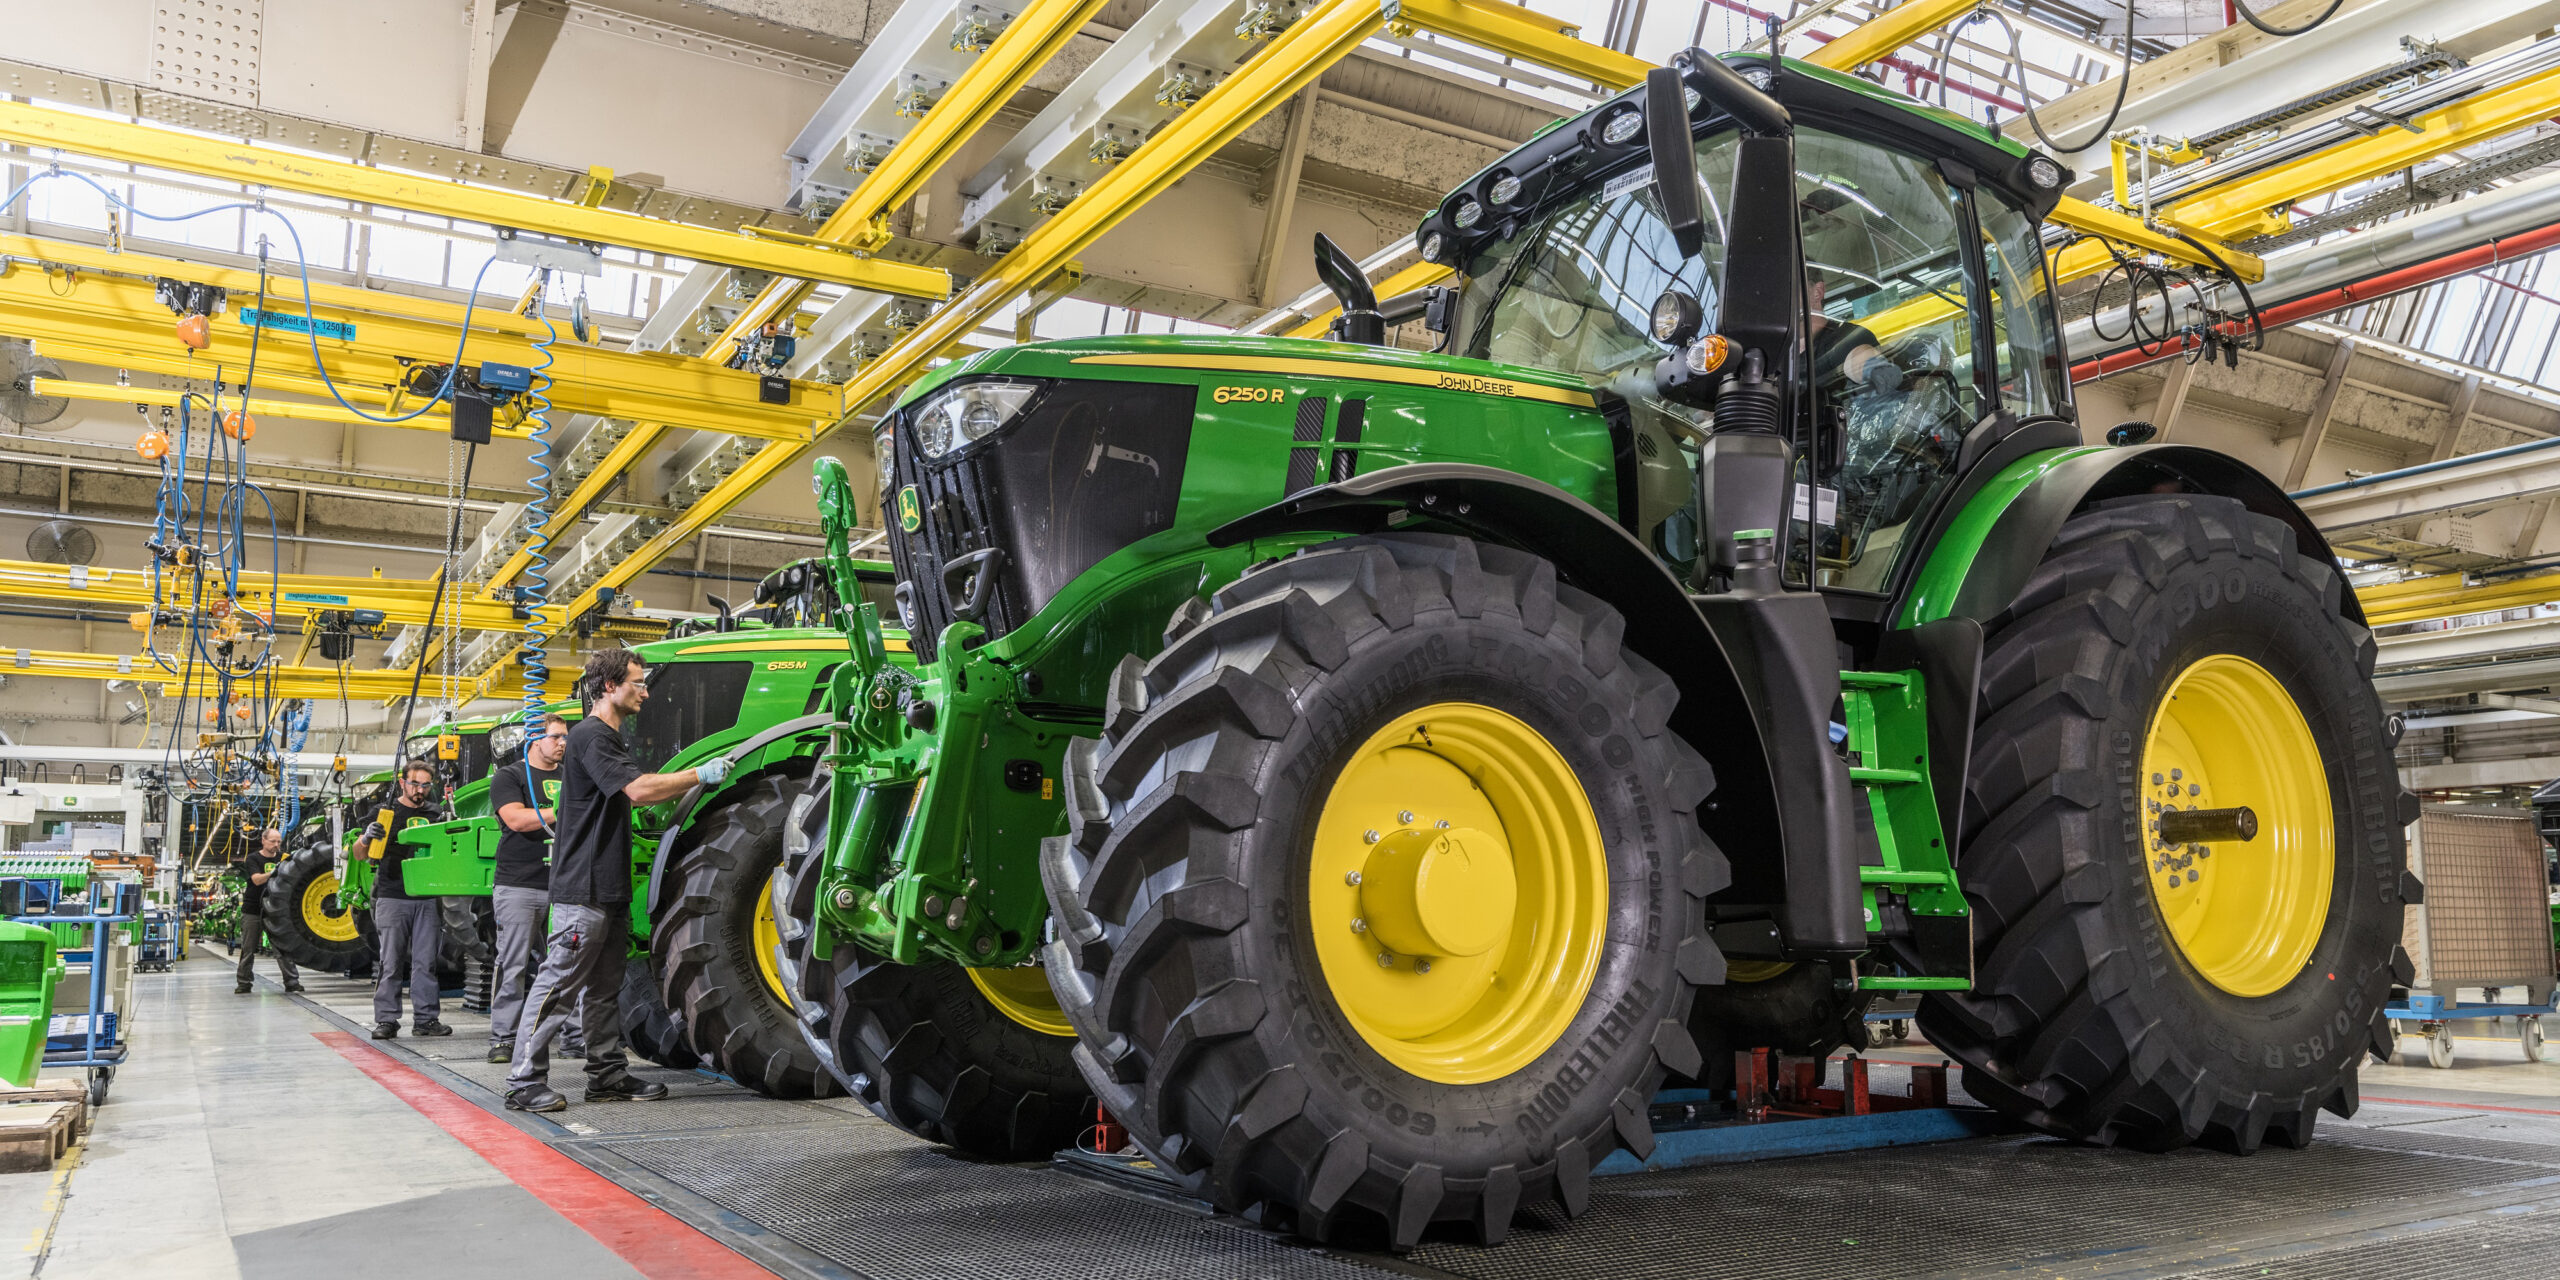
x: 1440, y: 892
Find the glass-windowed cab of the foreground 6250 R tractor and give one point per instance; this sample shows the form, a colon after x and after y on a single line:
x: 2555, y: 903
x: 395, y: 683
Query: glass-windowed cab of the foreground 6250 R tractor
x: 1926, y: 306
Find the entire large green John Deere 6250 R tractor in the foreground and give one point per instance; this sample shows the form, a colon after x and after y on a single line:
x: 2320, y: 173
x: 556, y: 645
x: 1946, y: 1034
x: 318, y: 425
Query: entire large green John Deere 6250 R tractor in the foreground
x: 1402, y: 764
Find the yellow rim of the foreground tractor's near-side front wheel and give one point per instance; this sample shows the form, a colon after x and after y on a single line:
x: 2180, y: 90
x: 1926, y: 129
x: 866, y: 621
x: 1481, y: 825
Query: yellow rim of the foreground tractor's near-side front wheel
x: 1458, y: 892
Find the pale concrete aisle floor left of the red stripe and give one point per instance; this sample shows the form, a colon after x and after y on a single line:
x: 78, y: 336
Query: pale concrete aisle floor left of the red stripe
x: 237, y: 1143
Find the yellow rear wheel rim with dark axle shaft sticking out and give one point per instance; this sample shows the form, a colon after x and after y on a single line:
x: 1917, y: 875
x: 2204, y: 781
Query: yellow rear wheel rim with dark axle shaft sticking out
x: 2246, y: 915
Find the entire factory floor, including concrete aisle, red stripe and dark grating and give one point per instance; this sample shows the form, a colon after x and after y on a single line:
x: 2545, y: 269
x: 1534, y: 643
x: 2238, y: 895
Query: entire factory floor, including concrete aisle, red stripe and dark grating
x: 265, y: 1138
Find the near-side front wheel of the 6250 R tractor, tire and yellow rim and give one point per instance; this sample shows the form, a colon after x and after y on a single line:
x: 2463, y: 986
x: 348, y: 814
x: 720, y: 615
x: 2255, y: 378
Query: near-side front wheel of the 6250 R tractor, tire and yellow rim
x: 1253, y: 938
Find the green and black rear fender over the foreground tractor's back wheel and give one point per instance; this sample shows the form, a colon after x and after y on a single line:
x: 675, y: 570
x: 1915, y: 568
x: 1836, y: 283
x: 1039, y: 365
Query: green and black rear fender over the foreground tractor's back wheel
x: 1993, y: 547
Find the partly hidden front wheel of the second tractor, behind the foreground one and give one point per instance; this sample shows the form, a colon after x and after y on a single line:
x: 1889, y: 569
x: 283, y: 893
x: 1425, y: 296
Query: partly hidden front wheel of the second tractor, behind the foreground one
x: 713, y: 943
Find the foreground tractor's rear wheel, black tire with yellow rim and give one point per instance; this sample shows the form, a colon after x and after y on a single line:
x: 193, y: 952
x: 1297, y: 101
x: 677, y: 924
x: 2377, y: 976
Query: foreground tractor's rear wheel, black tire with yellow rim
x: 2147, y: 992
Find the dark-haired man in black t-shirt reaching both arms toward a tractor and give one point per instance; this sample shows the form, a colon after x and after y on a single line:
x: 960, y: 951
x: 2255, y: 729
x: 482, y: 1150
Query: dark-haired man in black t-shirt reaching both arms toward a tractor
x: 593, y: 892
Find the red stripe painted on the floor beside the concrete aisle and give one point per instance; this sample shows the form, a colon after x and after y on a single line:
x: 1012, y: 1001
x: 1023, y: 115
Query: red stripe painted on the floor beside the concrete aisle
x: 644, y: 1235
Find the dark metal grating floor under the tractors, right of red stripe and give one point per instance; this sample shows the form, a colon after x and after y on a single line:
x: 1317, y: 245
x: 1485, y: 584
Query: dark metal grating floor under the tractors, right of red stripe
x: 826, y: 1189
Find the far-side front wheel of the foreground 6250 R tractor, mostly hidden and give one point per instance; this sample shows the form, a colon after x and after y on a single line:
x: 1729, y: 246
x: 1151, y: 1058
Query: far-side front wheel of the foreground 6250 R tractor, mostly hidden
x: 974, y: 1061
